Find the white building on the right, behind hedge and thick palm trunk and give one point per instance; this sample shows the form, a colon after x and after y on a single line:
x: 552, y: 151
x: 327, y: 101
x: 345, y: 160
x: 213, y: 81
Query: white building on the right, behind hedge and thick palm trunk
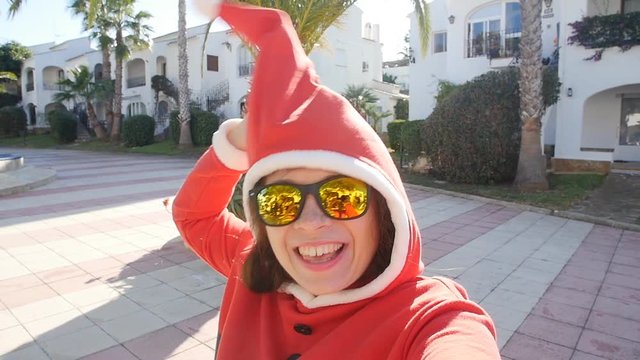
x: 597, y: 117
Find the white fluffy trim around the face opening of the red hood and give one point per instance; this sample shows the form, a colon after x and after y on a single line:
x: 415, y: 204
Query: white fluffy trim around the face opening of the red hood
x: 342, y: 164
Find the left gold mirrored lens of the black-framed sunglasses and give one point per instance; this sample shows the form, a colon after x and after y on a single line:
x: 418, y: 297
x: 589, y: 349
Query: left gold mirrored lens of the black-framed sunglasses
x: 279, y: 204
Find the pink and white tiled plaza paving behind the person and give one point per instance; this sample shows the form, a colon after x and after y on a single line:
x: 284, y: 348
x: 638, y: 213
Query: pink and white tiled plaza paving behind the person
x: 91, y: 267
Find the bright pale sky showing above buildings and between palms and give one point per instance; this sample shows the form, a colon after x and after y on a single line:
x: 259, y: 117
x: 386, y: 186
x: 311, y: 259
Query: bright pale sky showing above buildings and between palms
x: 42, y: 21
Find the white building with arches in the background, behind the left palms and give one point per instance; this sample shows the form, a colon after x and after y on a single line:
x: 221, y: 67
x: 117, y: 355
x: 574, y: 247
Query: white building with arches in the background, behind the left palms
x: 218, y: 79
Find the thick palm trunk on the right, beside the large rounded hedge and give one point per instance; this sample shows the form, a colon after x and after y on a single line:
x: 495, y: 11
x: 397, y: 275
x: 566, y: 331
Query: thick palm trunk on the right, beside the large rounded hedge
x: 531, y: 174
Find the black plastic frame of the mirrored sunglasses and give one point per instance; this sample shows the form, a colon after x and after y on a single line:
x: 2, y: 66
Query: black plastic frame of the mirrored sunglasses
x: 306, y: 189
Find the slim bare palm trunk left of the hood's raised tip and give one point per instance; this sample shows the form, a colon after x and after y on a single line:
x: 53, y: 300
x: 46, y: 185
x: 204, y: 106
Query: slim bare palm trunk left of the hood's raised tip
x: 183, y: 78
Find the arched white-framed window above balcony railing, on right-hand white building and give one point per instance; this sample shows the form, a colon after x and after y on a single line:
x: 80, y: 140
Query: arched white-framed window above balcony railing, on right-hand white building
x: 495, y: 31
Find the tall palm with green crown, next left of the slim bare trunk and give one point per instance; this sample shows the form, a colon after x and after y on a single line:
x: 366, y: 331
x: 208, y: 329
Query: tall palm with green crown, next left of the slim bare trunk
x: 130, y: 34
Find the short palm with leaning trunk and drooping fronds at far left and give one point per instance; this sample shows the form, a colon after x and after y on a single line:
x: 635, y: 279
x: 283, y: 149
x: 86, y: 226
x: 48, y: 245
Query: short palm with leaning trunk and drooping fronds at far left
x: 82, y: 89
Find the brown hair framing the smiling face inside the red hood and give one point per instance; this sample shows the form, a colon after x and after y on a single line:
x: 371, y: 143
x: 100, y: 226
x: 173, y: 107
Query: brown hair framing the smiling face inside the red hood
x: 262, y: 272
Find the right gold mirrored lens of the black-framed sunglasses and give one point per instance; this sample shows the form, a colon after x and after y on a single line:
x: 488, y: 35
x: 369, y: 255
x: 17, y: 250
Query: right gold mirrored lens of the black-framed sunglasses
x: 344, y: 198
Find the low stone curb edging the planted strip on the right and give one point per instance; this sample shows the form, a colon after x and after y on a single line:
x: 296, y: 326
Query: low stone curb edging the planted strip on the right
x: 560, y: 213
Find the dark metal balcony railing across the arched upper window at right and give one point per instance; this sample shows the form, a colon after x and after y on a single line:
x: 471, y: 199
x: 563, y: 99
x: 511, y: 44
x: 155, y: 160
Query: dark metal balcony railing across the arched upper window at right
x: 494, y: 44
